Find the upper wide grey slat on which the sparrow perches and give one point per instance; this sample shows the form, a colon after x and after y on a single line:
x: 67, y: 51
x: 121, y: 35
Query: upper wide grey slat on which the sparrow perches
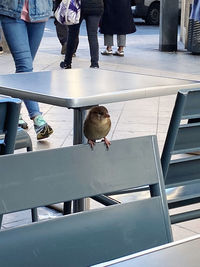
x: 53, y: 176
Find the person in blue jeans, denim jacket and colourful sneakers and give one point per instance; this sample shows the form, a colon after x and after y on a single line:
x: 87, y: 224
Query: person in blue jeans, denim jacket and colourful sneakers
x: 23, y: 23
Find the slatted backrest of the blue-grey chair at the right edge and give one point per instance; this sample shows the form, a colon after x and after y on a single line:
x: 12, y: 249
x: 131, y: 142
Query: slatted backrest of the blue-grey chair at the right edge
x: 182, y: 138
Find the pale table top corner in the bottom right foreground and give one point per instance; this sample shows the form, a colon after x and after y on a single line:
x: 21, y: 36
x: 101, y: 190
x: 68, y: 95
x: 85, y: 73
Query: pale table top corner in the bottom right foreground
x: 184, y: 253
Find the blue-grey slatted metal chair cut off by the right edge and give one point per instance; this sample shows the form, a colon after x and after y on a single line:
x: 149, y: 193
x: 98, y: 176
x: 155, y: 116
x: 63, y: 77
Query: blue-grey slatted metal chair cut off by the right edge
x: 182, y: 175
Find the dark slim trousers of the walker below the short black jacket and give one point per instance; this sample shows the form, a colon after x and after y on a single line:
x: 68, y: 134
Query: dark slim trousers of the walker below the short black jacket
x: 92, y: 23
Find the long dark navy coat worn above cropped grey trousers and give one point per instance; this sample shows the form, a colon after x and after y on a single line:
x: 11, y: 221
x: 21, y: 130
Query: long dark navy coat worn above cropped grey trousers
x: 117, y: 18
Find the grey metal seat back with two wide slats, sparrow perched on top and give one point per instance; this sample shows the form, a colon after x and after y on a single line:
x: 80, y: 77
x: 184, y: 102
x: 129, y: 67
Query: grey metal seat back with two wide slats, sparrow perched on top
x: 88, y: 237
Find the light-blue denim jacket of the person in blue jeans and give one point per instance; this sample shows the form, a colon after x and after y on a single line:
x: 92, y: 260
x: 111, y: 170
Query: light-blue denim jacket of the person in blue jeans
x: 38, y: 9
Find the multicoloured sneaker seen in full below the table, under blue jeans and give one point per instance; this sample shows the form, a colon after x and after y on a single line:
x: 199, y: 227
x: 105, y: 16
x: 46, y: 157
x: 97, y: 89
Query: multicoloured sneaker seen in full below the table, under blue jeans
x: 42, y: 129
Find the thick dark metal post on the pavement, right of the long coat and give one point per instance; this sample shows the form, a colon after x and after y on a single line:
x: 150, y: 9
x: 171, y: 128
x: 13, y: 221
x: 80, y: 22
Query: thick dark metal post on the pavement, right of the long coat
x: 169, y: 12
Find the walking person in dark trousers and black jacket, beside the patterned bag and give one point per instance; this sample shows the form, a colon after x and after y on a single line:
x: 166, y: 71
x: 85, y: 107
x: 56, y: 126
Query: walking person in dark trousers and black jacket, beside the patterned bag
x: 91, y: 11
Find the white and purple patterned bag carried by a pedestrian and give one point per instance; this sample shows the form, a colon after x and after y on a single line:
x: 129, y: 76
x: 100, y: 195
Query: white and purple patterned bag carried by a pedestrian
x: 68, y: 12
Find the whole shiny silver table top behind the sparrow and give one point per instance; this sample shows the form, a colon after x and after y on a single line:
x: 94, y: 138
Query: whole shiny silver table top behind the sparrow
x: 76, y: 88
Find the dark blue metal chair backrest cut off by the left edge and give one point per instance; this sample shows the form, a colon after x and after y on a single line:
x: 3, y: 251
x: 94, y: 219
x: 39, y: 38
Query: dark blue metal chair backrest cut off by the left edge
x: 9, y: 116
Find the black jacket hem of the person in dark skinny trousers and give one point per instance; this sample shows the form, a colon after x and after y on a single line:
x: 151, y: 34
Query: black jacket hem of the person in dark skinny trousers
x: 92, y: 7
